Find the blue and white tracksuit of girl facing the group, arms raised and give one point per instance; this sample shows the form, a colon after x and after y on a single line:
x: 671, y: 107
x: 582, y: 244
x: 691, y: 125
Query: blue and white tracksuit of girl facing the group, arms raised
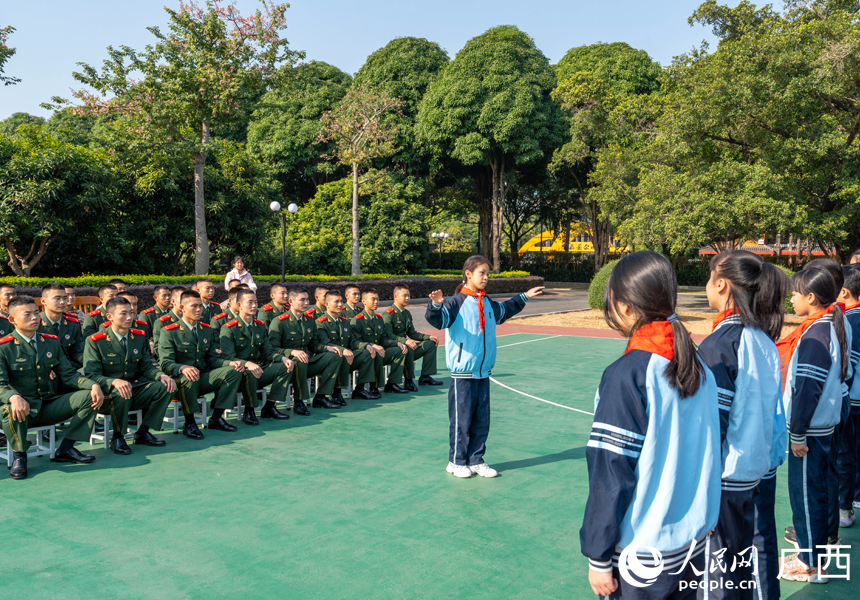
x: 470, y: 352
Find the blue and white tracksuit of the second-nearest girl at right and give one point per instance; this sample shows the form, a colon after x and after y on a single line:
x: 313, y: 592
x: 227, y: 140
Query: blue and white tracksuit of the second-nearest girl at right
x: 745, y: 363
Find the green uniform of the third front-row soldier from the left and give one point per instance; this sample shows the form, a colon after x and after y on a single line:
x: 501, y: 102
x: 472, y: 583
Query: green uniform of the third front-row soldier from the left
x: 179, y: 346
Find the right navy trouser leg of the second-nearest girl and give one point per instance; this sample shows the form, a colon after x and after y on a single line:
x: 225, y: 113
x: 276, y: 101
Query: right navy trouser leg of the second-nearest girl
x: 764, y: 539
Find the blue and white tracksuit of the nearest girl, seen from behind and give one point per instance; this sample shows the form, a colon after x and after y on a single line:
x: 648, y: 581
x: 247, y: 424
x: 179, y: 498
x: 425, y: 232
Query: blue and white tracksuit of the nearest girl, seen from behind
x: 653, y: 472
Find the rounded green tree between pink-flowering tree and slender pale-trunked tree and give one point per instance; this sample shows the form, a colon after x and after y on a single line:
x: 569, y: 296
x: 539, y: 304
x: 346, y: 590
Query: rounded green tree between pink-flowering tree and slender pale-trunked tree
x: 285, y: 127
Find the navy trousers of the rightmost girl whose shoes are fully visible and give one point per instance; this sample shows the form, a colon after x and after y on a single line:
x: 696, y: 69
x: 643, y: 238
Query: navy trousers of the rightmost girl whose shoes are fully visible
x: 807, y: 491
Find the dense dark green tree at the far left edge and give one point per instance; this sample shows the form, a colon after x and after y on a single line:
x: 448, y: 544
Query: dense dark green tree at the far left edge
x: 48, y: 188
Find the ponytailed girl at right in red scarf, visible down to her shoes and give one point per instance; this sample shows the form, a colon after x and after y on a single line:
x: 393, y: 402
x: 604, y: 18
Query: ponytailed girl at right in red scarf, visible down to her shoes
x: 815, y: 365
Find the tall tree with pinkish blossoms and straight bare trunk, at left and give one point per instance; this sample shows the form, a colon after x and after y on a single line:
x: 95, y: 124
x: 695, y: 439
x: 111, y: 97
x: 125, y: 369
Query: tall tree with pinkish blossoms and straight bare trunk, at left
x: 196, y: 79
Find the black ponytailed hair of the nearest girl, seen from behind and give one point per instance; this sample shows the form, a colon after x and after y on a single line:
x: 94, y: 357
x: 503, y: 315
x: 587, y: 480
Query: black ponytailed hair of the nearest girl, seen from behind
x: 645, y: 281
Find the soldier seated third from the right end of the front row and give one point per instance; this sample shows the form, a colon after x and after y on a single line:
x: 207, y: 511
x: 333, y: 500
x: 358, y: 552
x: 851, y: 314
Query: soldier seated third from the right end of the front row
x: 335, y: 335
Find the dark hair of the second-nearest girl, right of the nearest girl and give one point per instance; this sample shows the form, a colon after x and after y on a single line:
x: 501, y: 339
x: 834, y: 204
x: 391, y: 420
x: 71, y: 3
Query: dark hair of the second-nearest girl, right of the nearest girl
x: 756, y: 288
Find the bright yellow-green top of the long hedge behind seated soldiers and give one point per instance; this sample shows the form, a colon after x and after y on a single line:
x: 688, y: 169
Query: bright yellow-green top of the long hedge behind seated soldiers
x: 97, y: 280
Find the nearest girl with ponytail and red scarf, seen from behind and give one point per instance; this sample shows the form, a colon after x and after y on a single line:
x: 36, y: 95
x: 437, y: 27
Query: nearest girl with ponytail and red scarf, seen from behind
x: 654, y: 450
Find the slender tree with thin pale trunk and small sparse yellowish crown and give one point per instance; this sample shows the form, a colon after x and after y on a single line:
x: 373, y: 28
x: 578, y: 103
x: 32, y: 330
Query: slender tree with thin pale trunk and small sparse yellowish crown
x: 361, y: 133
